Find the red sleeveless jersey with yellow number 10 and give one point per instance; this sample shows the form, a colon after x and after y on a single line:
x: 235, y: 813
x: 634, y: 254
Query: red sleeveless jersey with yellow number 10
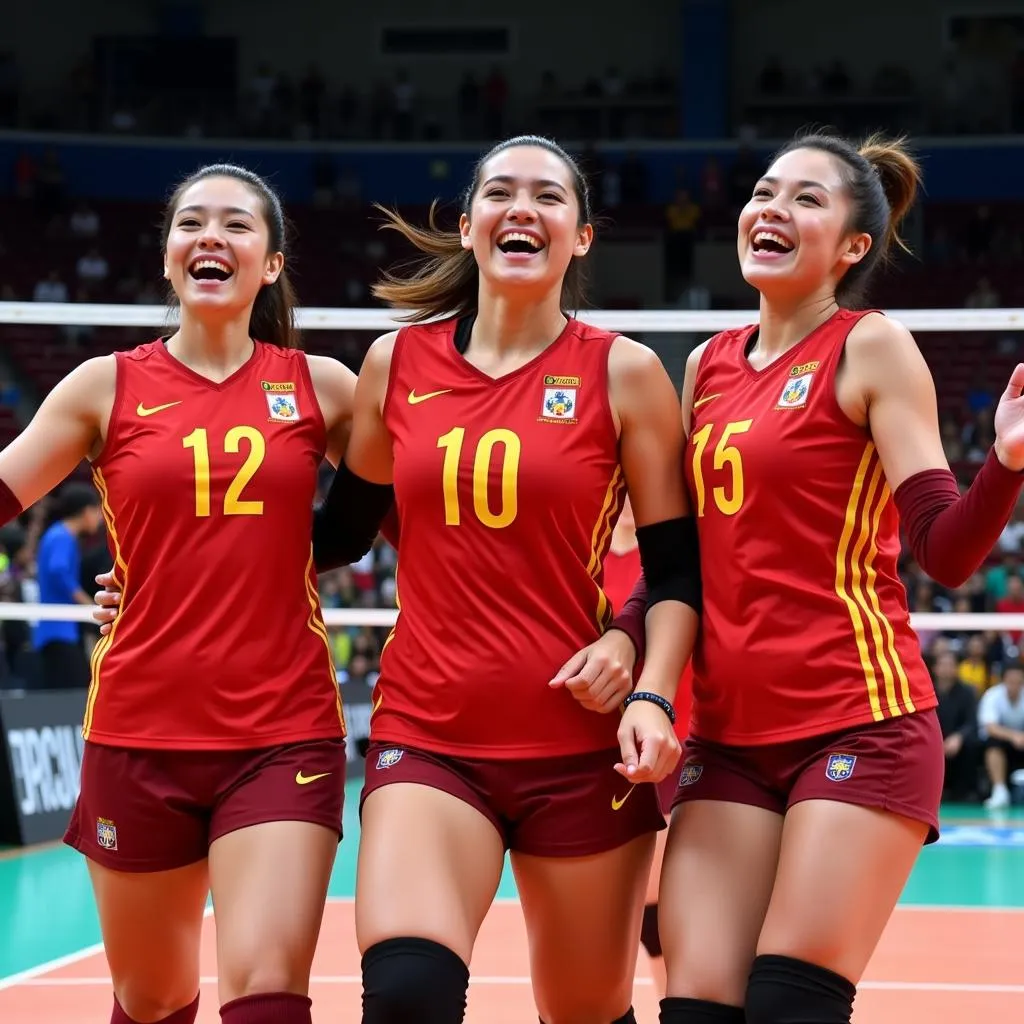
x: 507, y: 492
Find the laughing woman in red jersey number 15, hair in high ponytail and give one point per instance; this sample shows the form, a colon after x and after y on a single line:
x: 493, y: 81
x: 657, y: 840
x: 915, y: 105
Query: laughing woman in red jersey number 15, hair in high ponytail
x: 814, y: 772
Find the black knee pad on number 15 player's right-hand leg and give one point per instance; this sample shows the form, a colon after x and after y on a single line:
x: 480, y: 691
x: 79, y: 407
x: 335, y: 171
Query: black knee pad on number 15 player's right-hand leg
x: 784, y: 991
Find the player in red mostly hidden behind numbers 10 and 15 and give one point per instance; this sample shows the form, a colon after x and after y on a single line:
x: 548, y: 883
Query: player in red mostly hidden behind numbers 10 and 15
x: 622, y: 567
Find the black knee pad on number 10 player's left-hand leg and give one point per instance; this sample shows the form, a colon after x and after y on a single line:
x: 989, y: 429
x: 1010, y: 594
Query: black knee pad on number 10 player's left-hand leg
x: 413, y: 980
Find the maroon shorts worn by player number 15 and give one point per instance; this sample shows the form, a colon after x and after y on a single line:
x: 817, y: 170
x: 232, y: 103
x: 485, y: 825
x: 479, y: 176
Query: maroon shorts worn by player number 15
x: 897, y: 765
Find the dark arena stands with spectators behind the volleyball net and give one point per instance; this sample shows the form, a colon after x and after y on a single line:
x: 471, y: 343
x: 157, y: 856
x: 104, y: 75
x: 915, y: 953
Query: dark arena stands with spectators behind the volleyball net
x: 672, y: 106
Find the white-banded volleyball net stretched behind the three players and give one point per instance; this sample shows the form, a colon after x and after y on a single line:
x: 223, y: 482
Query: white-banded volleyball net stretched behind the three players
x: 41, y: 340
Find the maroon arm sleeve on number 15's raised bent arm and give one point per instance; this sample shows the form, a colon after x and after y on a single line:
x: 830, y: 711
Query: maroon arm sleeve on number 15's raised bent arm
x: 951, y: 534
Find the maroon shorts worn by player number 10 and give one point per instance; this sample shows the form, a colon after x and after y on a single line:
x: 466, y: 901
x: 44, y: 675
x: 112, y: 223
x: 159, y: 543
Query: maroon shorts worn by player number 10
x: 568, y: 806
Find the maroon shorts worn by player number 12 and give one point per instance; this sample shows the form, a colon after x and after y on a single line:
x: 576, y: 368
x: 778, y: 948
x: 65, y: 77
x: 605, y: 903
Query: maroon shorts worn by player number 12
x: 150, y: 810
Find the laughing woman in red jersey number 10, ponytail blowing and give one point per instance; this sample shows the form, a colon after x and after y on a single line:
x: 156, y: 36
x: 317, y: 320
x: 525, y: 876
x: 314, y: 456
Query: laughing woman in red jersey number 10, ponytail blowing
x: 511, y: 433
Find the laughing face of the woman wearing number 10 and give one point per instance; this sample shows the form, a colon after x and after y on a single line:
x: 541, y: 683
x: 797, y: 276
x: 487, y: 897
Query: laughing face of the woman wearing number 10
x: 524, y: 223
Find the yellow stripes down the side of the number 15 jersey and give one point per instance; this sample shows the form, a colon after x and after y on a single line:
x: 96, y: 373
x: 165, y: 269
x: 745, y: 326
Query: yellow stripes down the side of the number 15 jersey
x: 873, y: 631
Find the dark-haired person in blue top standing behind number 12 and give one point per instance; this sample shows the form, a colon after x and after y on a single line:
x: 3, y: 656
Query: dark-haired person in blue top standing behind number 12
x: 59, y: 562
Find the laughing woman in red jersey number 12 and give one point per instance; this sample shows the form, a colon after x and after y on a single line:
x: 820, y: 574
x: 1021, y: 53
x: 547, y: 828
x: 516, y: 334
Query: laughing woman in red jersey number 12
x: 215, y: 756
